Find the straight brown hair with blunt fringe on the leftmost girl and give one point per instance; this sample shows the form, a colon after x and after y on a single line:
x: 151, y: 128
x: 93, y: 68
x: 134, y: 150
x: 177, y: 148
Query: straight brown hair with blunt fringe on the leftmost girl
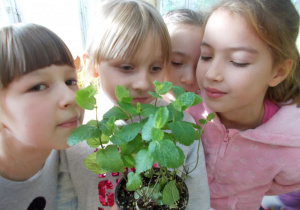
x: 28, y: 47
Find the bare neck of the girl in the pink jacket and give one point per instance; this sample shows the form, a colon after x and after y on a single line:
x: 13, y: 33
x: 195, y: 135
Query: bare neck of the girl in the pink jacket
x: 243, y: 119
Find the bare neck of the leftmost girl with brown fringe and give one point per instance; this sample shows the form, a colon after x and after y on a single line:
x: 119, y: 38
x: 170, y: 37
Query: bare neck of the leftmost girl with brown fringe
x: 17, y: 161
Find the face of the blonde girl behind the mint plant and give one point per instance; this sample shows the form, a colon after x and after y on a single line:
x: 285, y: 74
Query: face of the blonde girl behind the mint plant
x: 137, y: 75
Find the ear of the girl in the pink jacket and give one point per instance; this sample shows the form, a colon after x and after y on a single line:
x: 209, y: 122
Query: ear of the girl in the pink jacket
x: 281, y: 72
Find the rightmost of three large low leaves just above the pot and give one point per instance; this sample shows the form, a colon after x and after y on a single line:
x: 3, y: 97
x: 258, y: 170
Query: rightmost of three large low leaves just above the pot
x: 165, y: 153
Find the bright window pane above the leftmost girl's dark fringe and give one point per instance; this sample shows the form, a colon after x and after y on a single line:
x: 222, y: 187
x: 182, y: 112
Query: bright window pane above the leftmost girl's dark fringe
x: 62, y: 17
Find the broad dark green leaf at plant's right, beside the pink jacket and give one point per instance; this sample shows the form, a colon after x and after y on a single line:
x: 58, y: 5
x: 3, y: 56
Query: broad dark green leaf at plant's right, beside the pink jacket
x: 183, y: 132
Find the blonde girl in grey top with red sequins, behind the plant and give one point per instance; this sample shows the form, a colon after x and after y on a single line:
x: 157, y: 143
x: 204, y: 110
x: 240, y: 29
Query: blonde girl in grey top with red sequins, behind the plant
x: 129, y: 45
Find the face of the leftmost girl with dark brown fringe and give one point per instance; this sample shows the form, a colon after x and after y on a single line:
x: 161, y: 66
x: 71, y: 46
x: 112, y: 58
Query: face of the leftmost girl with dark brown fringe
x: 38, y: 110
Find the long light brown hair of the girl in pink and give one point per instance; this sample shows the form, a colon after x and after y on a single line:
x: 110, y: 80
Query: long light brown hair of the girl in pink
x: 277, y: 24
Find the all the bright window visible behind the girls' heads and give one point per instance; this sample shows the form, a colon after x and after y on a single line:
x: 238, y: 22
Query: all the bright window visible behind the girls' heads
x: 69, y: 19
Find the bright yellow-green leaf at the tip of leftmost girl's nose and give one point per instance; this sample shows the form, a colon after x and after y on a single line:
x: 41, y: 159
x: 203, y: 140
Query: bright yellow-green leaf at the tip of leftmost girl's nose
x: 85, y: 97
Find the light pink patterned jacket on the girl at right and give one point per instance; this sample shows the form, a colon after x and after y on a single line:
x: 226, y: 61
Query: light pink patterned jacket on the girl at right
x: 243, y: 166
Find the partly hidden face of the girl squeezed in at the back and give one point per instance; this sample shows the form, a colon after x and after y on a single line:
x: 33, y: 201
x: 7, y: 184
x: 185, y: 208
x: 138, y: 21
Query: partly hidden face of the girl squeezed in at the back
x: 185, y: 41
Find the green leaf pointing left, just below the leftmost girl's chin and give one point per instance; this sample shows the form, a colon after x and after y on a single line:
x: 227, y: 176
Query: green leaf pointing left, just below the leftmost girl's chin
x: 83, y: 132
